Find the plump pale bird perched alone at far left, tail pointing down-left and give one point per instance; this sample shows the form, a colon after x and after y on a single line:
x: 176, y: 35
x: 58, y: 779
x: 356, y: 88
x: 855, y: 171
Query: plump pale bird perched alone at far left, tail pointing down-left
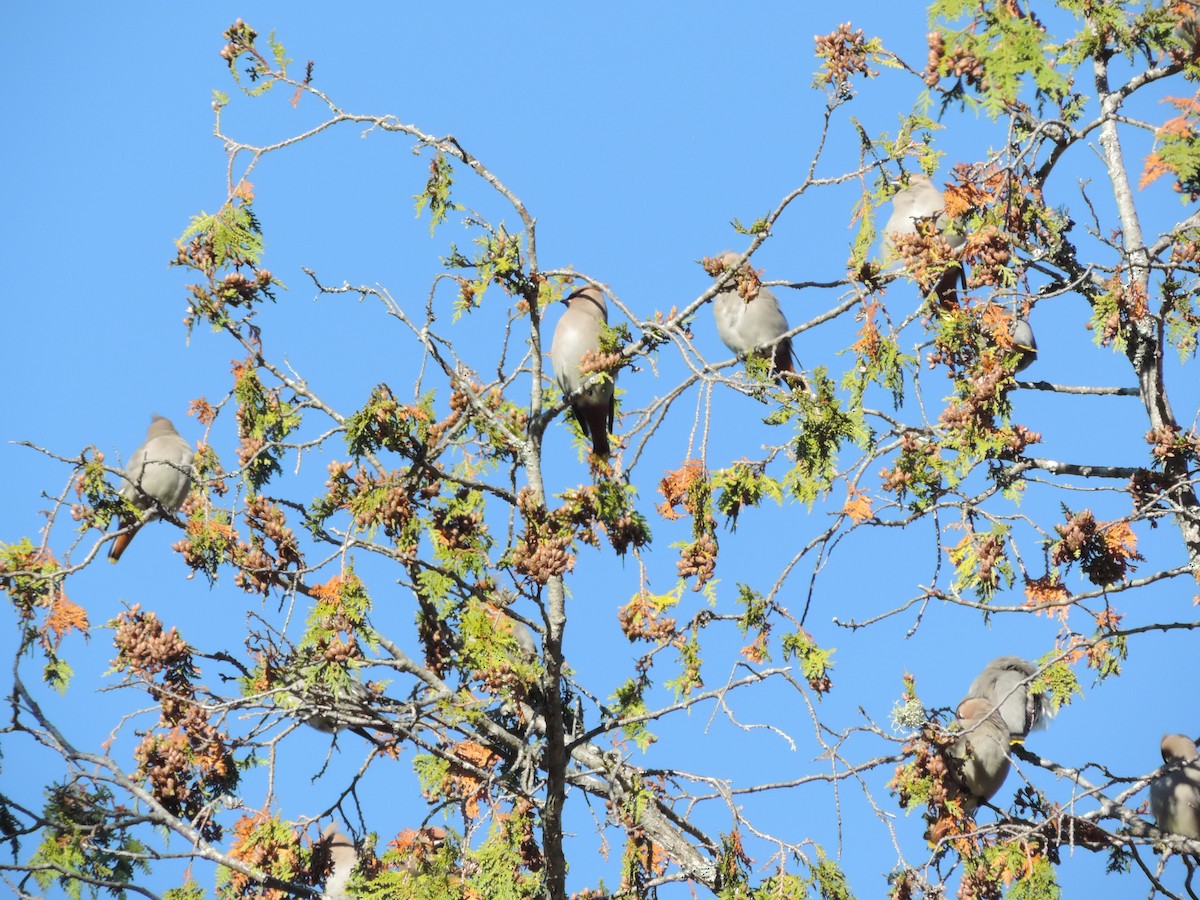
x: 158, y: 478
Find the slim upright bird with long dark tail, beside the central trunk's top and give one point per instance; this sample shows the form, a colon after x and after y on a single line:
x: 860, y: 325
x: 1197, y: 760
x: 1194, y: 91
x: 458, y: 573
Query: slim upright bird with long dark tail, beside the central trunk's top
x: 579, y: 332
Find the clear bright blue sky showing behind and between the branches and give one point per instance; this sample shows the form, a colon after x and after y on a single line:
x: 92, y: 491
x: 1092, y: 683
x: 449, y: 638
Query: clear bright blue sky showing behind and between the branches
x: 634, y: 134
